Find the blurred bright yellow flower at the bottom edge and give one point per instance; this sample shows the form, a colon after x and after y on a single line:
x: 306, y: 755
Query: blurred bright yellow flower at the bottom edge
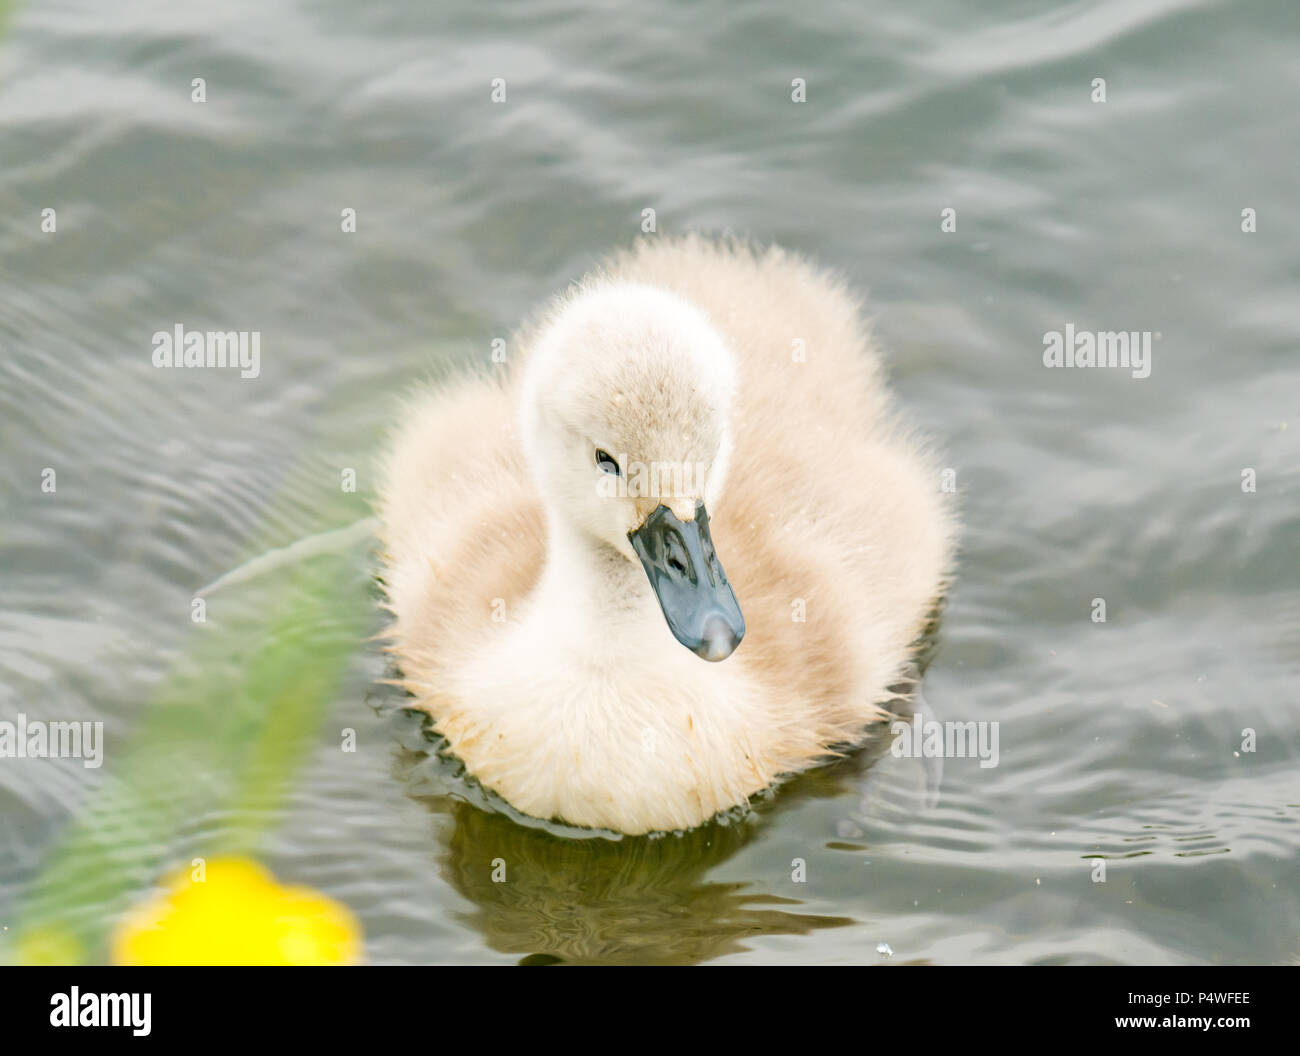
x: 232, y: 912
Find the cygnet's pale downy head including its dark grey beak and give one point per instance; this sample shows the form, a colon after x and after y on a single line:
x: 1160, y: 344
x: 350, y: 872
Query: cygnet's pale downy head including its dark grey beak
x: 625, y: 421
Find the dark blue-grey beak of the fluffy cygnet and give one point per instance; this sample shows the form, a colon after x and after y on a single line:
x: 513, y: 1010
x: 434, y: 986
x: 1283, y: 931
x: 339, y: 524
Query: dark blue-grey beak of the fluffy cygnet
x: 690, y: 582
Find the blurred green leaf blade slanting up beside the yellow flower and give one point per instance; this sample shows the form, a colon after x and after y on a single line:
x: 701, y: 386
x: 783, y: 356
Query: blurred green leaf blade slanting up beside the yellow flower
x: 220, y: 746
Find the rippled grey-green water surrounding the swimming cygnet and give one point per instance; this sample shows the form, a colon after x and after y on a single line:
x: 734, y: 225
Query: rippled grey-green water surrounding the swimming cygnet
x: 1119, y: 742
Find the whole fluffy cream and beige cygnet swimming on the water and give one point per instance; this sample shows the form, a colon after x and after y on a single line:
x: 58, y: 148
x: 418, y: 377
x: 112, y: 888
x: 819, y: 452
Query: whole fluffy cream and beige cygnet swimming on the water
x: 556, y: 542
